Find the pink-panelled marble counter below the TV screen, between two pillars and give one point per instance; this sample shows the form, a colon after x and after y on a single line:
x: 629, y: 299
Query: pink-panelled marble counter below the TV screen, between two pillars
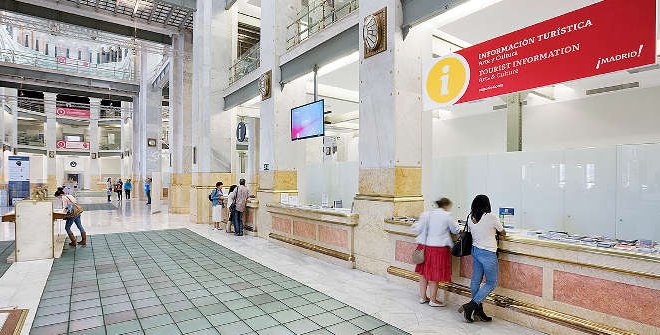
x: 322, y: 232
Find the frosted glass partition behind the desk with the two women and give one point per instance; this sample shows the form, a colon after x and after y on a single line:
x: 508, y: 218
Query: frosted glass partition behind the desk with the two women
x: 613, y: 191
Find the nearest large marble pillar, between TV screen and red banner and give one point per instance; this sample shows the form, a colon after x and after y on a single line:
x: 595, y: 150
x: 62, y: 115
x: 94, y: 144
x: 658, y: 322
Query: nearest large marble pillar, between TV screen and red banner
x: 390, y: 141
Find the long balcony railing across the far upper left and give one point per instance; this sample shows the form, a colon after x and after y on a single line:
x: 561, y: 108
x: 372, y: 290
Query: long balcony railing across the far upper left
x: 61, y: 63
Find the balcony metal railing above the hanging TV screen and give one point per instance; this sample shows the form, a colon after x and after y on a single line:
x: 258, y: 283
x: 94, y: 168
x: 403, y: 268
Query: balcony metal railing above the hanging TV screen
x: 315, y: 18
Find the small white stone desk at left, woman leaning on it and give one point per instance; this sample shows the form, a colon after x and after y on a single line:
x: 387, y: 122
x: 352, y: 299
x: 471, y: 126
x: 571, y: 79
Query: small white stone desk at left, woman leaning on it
x: 37, y: 230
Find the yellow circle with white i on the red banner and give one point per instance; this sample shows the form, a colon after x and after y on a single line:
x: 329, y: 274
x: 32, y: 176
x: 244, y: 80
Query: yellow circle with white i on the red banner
x: 448, y: 79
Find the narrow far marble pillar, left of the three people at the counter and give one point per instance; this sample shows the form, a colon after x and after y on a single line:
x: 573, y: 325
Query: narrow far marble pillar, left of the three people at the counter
x: 181, y: 124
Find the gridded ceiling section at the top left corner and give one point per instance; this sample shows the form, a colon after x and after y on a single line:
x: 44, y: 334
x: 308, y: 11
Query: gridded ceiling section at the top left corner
x: 159, y: 12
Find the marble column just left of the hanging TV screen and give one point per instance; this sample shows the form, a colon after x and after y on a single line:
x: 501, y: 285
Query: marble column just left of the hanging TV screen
x: 276, y: 164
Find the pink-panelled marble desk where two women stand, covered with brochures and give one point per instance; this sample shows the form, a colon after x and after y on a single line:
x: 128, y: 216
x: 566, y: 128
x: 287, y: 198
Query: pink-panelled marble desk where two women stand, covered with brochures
x: 543, y: 283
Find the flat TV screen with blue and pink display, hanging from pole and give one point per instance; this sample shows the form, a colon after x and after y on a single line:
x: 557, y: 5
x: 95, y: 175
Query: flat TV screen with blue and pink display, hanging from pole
x: 307, y: 121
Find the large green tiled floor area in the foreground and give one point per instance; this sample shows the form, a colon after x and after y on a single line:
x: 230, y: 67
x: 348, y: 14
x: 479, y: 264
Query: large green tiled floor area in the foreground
x: 177, y: 282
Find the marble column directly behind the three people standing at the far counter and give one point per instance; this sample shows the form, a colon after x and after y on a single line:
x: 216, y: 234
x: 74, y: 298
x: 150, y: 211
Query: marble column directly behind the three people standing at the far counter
x: 211, y: 125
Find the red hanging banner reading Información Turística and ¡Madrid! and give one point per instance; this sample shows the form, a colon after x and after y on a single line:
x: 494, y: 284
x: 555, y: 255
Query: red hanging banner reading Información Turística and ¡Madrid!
x: 608, y: 36
